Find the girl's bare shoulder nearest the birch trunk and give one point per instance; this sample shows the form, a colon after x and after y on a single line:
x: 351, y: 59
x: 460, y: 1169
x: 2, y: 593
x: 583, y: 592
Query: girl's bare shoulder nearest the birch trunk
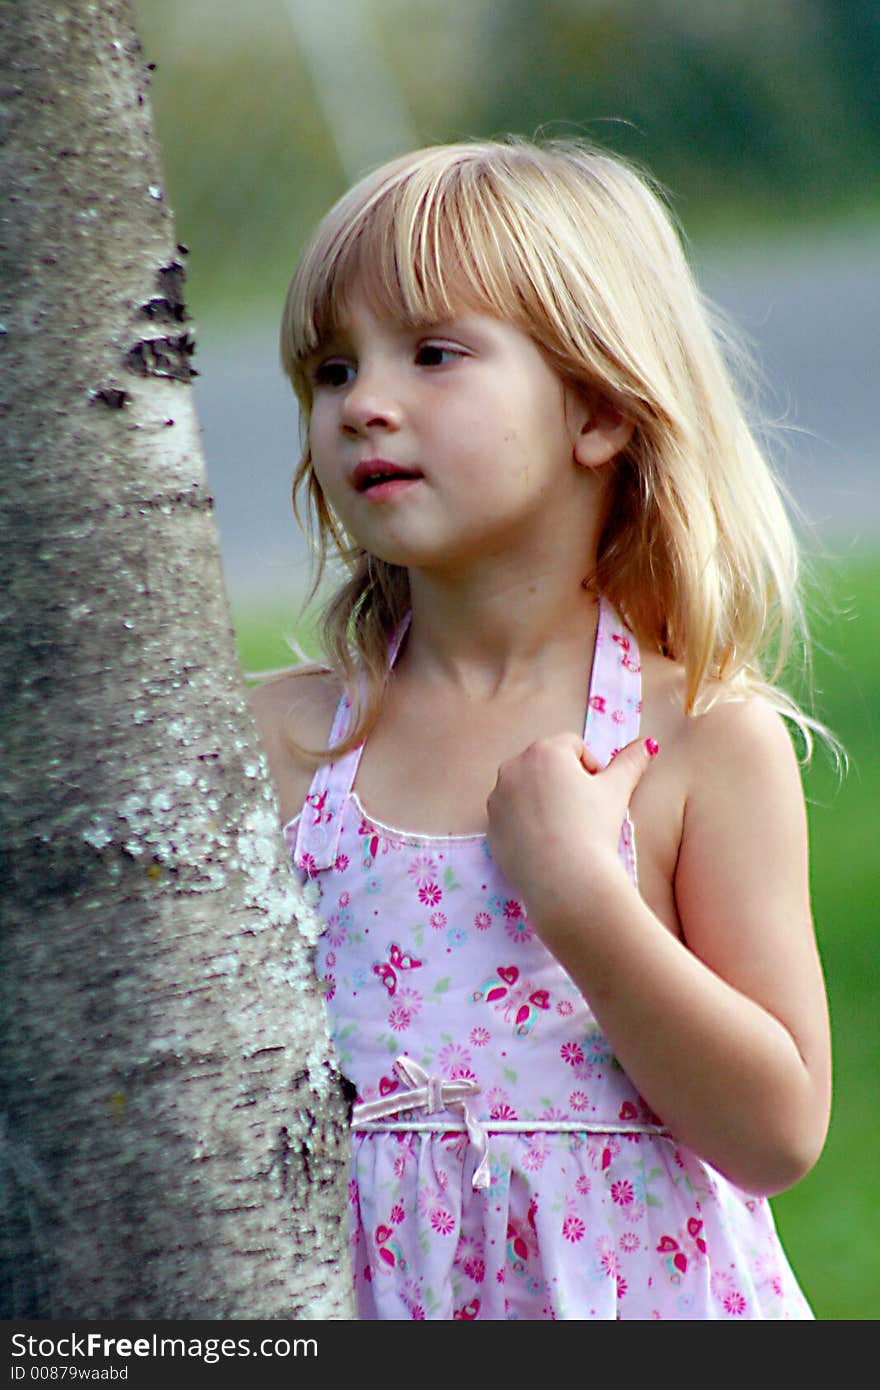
x: 294, y: 712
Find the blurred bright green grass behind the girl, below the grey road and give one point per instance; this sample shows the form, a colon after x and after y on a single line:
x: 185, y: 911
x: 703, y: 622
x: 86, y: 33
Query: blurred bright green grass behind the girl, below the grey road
x: 831, y: 1224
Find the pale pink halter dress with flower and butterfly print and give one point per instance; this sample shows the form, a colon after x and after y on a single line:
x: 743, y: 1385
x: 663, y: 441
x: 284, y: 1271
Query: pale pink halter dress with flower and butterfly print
x: 503, y: 1164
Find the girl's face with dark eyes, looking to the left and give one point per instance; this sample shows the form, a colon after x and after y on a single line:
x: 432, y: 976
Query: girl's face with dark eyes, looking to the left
x: 440, y: 447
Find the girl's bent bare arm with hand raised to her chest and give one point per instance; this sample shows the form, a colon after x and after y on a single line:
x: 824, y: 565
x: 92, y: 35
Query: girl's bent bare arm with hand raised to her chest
x: 725, y: 1032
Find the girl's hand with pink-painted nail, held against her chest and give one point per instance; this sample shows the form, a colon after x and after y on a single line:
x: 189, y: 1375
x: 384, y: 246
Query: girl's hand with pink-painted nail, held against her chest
x: 555, y: 814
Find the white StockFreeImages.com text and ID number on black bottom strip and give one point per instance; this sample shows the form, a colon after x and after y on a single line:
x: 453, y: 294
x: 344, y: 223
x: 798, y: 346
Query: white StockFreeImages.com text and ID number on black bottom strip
x: 65, y: 1353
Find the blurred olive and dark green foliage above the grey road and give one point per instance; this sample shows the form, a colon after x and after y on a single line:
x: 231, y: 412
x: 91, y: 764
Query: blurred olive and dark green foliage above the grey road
x: 753, y: 113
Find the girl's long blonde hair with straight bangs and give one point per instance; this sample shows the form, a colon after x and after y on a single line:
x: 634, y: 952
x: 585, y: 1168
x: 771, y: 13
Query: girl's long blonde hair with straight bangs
x: 579, y: 251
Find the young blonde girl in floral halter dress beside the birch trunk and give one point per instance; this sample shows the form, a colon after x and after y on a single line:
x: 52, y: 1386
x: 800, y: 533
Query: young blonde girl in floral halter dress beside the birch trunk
x: 557, y: 826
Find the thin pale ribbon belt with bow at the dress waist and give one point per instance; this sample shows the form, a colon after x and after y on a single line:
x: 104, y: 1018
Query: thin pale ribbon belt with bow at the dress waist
x: 433, y: 1095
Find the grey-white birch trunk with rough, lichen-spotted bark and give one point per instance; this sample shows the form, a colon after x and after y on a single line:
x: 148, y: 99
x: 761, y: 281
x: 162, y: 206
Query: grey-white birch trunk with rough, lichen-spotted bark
x: 173, y: 1142
